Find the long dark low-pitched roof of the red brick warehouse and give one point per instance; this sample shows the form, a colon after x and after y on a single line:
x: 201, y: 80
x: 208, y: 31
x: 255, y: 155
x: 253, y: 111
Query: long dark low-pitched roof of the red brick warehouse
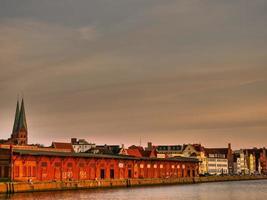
x: 88, y: 155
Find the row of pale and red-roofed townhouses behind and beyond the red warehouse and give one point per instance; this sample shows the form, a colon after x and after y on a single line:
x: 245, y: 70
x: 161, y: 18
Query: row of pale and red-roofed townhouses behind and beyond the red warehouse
x: 213, y: 161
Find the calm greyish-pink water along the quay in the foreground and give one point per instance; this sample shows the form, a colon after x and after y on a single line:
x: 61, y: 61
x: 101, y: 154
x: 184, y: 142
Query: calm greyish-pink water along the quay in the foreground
x: 243, y: 190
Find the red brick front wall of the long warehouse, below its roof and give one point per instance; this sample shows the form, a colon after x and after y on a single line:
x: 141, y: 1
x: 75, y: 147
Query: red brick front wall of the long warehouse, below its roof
x: 45, y: 168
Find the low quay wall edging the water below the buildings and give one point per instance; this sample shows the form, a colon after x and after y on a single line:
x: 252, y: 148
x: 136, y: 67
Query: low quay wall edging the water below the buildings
x: 18, y: 187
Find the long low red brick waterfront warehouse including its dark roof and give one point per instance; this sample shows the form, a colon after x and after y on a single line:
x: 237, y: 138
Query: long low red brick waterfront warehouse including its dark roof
x: 24, y: 165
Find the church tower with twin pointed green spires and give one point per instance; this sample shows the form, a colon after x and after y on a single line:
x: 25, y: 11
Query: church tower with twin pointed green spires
x: 19, y: 134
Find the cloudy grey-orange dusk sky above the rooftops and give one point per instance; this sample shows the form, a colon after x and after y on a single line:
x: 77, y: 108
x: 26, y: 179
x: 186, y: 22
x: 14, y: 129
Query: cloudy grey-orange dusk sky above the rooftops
x: 125, y: 71
